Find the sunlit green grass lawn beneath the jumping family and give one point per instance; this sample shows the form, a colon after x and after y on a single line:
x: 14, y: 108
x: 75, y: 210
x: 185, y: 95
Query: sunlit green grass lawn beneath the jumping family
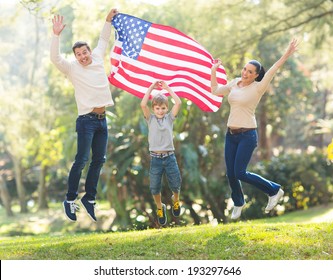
x: 303, y: 235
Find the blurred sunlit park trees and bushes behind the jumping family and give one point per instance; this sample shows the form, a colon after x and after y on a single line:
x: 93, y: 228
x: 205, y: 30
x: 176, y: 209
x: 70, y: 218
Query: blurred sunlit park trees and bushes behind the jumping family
x: 38, y: 113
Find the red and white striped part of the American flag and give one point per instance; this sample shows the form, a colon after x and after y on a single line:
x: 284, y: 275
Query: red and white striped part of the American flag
x: 188, y: 65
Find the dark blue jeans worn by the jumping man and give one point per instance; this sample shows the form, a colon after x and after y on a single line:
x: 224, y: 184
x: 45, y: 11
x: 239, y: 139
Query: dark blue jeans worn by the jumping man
x: 92, y: 134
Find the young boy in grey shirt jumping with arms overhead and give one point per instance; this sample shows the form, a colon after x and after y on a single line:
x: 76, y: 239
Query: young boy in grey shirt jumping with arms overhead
x: 160, y: 138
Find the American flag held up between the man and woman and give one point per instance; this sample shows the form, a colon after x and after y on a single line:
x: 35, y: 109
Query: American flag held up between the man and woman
x: 145, y: 52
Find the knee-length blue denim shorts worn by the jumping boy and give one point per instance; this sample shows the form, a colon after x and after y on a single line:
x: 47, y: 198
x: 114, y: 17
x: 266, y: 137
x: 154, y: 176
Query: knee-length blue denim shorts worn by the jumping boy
x: 169, y: 166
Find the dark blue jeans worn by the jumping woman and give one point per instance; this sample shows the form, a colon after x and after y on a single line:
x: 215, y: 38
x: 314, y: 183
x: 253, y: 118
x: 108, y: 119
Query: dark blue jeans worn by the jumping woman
x: 238, y: 152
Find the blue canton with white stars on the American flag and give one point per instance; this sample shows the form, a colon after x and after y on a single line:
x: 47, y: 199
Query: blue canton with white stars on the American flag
x: 131, y: 31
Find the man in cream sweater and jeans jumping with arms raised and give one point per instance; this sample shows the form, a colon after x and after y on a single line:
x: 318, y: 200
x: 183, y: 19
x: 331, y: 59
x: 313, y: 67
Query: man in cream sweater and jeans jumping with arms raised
x: 92, y: 95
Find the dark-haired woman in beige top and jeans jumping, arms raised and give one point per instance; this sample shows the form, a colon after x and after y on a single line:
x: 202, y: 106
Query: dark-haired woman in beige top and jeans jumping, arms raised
x: 241, y: 139
